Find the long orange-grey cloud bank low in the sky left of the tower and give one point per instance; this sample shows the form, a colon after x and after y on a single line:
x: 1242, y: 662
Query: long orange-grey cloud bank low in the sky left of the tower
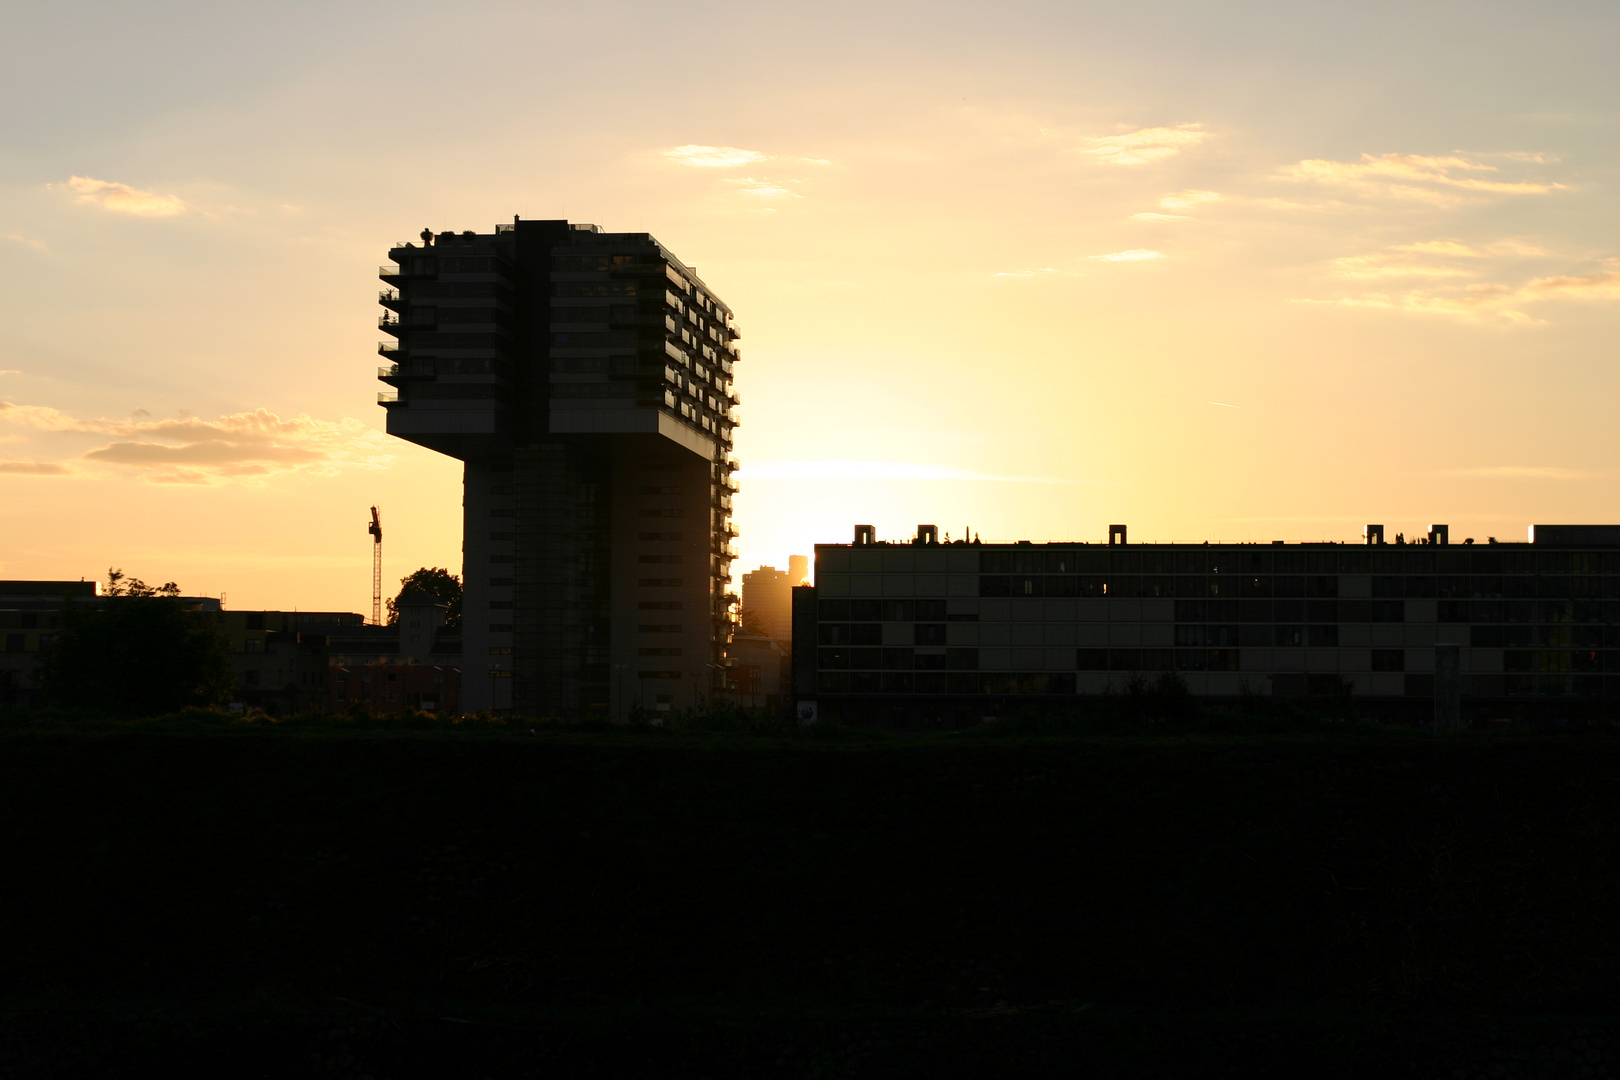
x: 190, y: 451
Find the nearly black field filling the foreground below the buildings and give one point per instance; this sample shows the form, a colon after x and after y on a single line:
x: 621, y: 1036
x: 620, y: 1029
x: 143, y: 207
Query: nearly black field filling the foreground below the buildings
x: 270, y: 904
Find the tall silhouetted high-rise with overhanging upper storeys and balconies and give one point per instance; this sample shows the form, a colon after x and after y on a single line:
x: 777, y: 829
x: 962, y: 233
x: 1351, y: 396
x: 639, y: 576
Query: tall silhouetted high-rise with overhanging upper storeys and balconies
x: 586, y: 381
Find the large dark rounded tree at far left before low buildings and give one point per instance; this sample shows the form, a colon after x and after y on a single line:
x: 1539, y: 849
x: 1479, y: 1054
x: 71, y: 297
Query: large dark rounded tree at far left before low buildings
x: 140, y: 652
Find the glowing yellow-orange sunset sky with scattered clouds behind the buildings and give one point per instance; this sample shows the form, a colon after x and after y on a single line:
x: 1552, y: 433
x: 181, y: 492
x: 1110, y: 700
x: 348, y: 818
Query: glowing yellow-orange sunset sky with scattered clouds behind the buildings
x: 1217, y: 271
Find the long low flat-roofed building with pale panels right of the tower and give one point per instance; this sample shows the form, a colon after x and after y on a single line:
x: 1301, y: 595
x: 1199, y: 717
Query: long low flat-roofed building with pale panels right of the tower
x: 927, y: 631
